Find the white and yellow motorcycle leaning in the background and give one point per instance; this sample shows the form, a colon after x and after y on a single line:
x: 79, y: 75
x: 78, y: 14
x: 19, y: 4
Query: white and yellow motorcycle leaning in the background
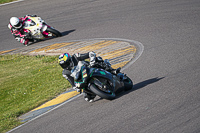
x: 39, y: 30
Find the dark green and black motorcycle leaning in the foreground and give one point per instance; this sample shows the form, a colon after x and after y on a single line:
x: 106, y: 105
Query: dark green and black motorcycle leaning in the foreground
x: 98, y: 81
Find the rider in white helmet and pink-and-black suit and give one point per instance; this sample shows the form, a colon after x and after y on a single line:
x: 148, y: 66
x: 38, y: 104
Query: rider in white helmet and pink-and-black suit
x: 16, y: 27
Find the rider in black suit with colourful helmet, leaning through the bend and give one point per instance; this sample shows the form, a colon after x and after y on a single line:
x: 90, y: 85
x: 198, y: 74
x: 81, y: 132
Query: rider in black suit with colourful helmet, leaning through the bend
x: 68, y: 62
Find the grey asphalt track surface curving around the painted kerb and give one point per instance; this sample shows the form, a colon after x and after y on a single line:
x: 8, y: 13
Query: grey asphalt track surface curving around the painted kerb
x: 166, y: 76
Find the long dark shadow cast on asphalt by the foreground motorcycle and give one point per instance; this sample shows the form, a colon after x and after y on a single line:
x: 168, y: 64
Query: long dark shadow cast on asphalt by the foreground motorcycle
x: 136, y: 87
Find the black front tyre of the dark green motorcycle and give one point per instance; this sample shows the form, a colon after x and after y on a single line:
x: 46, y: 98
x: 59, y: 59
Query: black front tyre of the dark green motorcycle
x: 105, y: 95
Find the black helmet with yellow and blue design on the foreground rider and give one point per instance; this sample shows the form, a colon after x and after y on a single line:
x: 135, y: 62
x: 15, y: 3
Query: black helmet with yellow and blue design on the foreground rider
x: 65, y: 60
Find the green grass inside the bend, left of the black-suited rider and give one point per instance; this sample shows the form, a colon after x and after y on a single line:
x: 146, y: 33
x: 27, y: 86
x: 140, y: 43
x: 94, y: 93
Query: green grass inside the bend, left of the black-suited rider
x: 25, y: 83
